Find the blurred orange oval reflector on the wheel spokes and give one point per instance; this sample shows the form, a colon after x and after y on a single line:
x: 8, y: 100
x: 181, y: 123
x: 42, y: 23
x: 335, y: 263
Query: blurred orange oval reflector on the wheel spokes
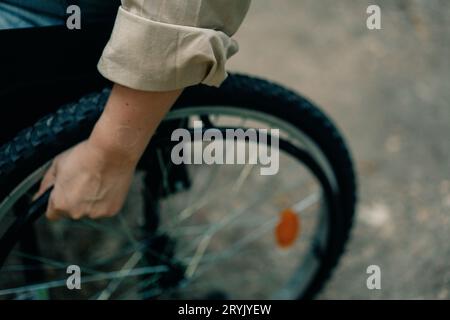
x: 288, y: 228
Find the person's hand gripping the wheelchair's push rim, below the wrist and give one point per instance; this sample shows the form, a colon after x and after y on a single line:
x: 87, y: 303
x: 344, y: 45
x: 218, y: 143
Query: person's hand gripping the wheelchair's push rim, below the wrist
x: 88, y: 182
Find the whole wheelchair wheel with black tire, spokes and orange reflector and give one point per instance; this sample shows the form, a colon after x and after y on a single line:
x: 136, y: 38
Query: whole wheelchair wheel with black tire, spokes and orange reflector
x: 189, y: 231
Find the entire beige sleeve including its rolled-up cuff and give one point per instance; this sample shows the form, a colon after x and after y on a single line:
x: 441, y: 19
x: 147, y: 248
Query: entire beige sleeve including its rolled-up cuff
x: 162, y: 45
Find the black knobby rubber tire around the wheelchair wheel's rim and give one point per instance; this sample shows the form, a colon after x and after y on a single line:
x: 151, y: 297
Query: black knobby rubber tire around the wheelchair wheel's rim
x: 35, y: 146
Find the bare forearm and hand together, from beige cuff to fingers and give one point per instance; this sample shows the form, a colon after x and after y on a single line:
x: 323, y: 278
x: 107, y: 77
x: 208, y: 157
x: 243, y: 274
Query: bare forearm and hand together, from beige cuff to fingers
x: 93, y: 178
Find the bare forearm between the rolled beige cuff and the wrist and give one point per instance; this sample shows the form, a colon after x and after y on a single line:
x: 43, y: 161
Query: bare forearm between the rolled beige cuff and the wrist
x: 129, y: 120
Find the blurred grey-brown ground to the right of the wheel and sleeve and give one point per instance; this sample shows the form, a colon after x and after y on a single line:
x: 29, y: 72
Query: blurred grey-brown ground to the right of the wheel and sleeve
x: 388, y: 91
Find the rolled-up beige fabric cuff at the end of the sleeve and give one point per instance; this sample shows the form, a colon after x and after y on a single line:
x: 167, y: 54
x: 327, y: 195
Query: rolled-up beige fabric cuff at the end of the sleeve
x: 152, y: 56
